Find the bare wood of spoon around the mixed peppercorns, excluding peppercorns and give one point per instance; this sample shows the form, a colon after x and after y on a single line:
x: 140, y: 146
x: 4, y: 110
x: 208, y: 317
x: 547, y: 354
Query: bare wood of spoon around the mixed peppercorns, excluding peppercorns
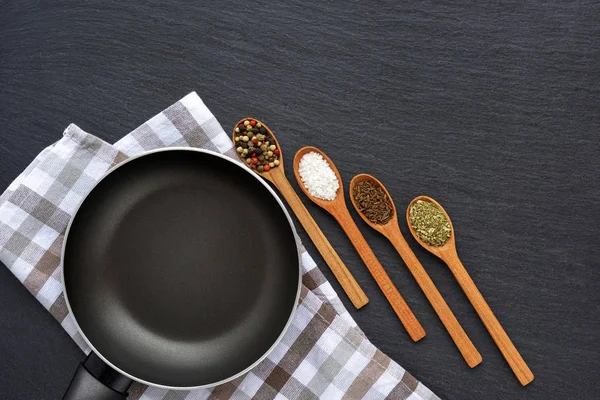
x: 277, y: 177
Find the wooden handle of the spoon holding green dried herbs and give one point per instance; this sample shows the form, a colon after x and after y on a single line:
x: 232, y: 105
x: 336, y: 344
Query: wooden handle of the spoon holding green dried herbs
x: 490, y: 321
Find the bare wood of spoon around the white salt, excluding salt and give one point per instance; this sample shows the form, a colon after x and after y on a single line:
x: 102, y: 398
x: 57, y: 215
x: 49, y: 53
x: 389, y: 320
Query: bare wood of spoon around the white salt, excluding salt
x: 337, y: 208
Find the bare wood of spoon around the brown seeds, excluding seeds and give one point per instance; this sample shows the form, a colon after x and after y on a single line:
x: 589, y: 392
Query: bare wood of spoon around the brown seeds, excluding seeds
x: 391, y: 231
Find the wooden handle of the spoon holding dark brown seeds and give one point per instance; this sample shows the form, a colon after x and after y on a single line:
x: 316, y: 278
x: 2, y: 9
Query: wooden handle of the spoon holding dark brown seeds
x: 456, y: 331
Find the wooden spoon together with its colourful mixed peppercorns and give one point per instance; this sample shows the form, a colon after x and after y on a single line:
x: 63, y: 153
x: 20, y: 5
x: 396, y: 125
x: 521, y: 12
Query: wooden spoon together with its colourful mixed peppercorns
x: 256, y: 145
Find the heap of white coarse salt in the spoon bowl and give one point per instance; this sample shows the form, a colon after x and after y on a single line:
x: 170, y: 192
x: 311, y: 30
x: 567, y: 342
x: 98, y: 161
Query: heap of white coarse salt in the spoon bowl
x: 318, y: 177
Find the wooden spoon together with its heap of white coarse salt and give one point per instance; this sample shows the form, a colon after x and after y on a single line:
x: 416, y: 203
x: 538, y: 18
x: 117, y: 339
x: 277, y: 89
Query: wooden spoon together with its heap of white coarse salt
x: 320, y: 180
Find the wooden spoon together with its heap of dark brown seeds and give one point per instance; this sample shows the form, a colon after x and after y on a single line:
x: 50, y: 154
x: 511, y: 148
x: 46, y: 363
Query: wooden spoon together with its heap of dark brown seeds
x: 374, y: 204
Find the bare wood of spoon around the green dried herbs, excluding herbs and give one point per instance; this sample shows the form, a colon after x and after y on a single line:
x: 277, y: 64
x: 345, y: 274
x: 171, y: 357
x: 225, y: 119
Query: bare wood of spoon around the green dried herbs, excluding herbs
x: 449, y: 255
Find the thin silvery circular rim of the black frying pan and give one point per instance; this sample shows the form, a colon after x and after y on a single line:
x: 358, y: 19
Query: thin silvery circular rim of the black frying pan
x: 296, y: 242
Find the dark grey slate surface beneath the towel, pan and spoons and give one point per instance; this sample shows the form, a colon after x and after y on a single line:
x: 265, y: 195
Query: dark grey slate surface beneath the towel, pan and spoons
x: 492, y: 108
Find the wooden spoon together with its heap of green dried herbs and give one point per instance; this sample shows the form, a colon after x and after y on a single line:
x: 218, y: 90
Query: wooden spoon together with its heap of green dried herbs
x: 431, y: 227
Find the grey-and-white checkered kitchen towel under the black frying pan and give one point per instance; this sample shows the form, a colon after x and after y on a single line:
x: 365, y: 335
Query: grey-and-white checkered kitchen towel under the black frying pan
x: 323, y: 355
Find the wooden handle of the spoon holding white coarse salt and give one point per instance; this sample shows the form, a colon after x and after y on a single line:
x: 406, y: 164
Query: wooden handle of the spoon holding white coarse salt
x: 403, y: 311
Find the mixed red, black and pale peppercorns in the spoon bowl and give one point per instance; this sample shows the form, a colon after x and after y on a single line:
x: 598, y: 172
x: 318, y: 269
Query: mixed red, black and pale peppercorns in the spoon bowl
x: 255, y: 145
